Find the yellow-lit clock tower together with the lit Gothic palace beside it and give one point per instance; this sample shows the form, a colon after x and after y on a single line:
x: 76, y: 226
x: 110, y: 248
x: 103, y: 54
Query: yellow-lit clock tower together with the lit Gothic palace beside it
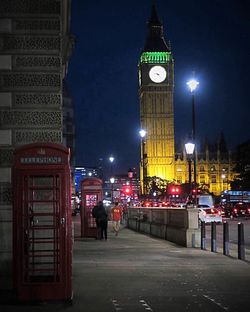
x: 158, y: 155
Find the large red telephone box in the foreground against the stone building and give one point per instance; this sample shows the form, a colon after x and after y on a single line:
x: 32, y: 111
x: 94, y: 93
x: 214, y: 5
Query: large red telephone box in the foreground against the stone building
x: 42, y: 235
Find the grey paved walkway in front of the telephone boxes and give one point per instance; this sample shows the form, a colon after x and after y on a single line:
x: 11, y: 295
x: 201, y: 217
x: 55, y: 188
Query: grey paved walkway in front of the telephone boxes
x: 133, y: 272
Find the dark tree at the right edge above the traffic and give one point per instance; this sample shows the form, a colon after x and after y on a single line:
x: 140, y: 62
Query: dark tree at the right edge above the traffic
x: 242, y: 157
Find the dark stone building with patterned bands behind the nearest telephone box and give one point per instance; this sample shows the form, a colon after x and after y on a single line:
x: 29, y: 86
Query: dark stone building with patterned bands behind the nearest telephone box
x: 35, y: 45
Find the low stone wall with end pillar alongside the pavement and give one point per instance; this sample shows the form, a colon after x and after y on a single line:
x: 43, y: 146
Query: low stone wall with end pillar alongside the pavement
x: 178, y: 225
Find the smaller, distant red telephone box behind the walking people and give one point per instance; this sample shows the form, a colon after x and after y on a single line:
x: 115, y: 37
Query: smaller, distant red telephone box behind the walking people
x: 92, y: 193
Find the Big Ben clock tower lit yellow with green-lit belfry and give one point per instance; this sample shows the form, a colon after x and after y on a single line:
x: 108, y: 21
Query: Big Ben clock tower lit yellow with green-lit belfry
x: 156, y: 84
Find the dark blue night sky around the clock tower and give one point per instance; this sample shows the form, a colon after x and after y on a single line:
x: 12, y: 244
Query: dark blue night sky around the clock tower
x: 210, y: 37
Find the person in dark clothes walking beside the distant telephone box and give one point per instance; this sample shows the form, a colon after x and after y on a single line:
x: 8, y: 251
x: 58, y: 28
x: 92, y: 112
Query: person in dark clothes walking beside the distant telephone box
x: 101, y: 216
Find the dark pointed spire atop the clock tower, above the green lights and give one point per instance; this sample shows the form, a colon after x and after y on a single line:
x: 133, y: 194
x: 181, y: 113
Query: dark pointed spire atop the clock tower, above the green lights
x: 155, y: 37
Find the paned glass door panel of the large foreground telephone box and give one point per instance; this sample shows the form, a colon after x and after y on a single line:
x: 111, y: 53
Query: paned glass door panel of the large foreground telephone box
x: 41, y: 219
